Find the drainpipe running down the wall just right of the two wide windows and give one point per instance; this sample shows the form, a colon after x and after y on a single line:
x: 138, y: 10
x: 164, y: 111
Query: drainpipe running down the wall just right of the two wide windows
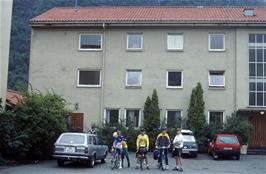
x: 103, y: 76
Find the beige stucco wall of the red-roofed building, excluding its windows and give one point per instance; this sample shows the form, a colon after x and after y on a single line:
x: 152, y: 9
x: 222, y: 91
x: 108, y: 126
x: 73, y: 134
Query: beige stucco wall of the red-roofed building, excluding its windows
x: 55, y: 58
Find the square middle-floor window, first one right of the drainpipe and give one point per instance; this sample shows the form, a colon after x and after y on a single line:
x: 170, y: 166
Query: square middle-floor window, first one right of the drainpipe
x: 133, y: 78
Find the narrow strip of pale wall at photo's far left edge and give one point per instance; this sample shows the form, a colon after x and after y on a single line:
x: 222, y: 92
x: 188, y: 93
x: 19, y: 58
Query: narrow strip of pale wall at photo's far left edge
x: 5, y: 26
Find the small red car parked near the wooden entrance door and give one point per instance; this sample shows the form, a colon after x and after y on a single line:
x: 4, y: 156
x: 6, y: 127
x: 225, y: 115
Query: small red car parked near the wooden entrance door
x: 224, y: 145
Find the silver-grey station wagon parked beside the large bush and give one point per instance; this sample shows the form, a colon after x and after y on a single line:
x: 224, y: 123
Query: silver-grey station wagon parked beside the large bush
x: 81, y: 147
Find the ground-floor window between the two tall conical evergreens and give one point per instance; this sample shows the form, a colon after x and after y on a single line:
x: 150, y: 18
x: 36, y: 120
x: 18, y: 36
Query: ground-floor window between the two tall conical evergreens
x: 173, y: 119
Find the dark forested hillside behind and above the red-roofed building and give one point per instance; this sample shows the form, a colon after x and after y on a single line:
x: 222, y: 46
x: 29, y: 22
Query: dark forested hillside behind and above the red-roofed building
x: 23, y: 10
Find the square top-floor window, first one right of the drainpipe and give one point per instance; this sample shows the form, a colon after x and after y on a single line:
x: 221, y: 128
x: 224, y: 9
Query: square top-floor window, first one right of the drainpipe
x: 134, y: 41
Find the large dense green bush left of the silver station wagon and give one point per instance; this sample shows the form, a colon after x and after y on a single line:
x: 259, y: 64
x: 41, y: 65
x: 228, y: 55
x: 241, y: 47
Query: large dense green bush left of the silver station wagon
x: 34, y: 125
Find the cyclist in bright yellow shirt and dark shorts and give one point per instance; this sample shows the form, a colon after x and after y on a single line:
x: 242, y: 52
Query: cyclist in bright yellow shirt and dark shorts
x: 142, y: 145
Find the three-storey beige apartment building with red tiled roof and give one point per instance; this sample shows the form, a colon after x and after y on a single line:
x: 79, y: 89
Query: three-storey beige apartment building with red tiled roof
x: 105, y: 61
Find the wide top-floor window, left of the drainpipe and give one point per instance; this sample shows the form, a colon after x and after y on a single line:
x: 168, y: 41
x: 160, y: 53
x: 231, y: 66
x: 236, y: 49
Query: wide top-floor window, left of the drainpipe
x: 90, y: 42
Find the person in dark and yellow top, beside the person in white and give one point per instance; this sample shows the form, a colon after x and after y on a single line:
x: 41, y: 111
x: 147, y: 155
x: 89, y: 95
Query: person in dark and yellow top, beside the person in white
x: 163, y: 144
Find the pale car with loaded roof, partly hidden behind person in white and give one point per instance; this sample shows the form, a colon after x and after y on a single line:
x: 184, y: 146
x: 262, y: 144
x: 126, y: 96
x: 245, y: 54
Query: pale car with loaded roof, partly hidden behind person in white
x: 190, y: 146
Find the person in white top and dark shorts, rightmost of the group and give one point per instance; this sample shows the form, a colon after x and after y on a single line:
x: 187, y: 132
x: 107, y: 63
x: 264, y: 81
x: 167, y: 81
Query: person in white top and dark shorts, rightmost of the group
x: 178, y: 145
